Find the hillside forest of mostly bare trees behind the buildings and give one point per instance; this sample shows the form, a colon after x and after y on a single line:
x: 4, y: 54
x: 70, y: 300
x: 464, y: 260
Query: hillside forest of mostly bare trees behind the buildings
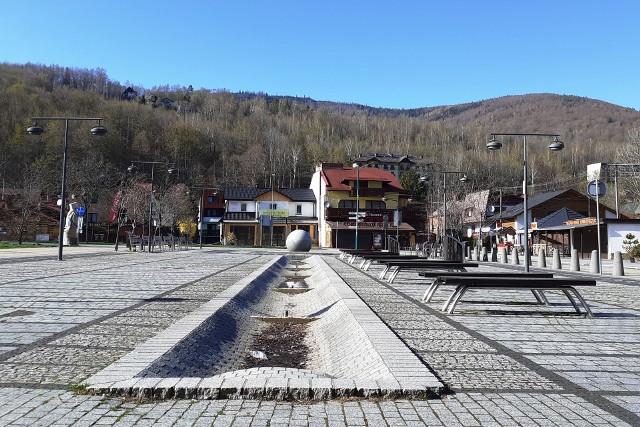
x: 217, y: 138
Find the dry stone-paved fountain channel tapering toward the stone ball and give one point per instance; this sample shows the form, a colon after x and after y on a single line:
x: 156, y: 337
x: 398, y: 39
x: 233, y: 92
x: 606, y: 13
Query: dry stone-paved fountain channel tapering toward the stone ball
x: 293, y: 329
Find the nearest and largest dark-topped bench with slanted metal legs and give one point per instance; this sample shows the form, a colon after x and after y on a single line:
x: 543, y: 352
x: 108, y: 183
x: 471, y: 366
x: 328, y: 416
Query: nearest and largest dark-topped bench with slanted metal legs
x: 567, y: 286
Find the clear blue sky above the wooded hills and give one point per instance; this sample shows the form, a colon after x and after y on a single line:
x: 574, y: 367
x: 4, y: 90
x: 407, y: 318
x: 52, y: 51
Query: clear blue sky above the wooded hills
x: 395, y: 54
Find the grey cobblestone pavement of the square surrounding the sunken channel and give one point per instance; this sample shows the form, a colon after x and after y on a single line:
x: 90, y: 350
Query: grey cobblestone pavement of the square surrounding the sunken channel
x: 506, y: 364
